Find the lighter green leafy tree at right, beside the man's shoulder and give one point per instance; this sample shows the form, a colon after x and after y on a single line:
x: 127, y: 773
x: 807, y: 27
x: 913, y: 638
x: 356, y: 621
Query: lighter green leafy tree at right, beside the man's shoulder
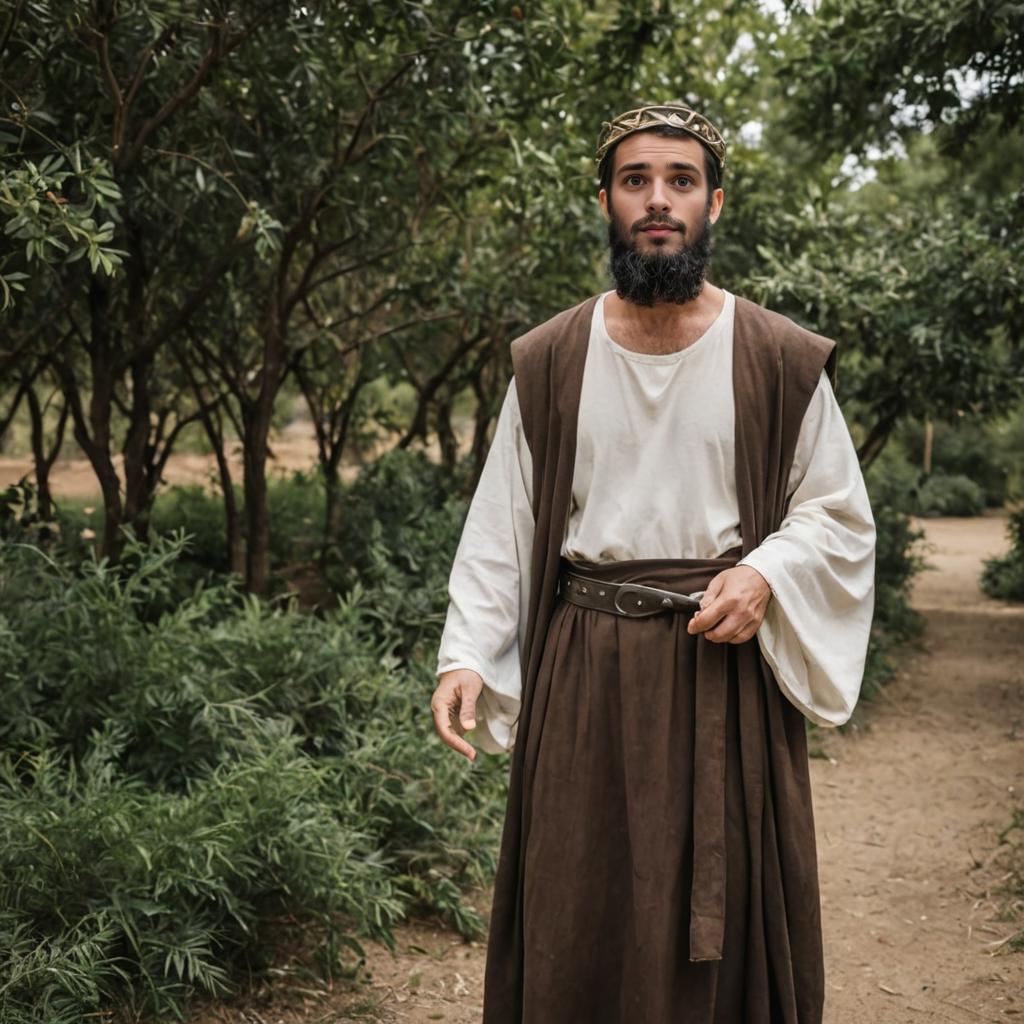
x: 926, y: 302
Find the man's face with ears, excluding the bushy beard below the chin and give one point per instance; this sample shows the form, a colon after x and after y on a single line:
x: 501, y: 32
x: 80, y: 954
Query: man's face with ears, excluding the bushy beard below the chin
x: 659, y: 197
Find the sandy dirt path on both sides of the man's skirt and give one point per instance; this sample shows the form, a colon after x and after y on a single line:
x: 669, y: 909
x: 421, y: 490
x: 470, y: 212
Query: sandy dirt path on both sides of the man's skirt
x: 909, y: 808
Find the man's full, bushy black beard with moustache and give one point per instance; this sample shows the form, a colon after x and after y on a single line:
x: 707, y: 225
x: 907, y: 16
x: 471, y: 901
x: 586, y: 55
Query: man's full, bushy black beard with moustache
x: 670, y: 276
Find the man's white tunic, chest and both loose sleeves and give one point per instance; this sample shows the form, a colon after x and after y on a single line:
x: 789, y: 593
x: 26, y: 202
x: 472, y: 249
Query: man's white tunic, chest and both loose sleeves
x: 655, y: 478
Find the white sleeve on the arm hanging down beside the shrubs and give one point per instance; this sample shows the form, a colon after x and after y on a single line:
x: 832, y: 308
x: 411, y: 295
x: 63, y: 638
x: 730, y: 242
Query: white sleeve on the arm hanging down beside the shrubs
x: 489, y: 586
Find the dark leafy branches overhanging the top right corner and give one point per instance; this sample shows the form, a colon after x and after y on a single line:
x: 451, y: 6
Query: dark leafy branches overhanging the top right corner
x: 867, y: 71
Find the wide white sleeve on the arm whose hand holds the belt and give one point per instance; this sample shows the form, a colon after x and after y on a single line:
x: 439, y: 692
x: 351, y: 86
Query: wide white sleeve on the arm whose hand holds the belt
x: 821, y: 567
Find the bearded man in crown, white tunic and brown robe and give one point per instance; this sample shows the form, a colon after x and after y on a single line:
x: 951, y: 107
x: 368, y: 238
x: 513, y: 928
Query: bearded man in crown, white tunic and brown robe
x: 667, y: 566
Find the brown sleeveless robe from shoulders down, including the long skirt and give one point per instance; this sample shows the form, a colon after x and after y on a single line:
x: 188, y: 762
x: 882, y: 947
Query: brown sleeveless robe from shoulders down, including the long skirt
x: 749, y: 948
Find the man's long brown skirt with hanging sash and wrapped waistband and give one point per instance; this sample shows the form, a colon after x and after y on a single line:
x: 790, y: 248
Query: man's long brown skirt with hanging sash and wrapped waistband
x: 669, y: 870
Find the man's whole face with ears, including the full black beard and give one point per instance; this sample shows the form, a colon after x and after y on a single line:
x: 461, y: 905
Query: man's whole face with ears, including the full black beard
x: 660, y: 215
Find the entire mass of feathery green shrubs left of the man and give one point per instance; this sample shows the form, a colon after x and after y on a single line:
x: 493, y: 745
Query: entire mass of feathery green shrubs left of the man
x: 184, y: 779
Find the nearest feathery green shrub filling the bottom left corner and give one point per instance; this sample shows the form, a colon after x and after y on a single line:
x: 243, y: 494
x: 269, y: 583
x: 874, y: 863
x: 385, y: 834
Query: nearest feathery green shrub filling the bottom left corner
x: 174, y: 891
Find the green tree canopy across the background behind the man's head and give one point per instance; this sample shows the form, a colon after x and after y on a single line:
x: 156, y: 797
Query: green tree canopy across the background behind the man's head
x: 209, y: 209
